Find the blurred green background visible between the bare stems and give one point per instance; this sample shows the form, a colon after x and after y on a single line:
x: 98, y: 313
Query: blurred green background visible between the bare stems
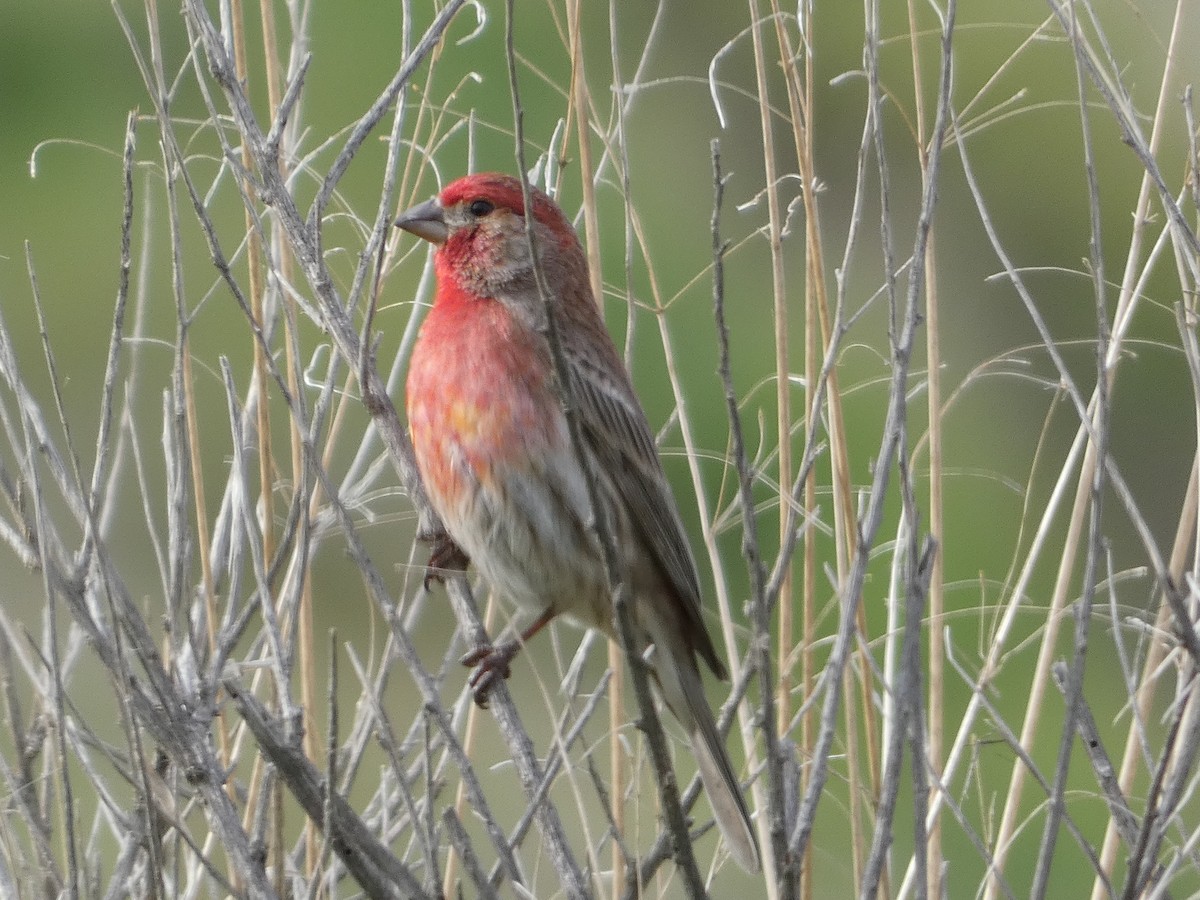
x: 69, y: 81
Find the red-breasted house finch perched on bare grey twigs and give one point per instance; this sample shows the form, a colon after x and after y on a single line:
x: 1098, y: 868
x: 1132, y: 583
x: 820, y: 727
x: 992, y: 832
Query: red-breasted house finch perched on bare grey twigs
x: 496, y: 457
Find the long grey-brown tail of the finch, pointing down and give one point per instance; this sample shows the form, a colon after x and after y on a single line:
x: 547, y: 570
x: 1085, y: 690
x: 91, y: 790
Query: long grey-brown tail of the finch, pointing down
x: 675, y: 668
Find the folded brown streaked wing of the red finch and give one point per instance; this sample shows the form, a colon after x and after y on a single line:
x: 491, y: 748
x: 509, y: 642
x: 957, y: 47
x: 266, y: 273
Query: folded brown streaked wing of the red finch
x: 616, y: 430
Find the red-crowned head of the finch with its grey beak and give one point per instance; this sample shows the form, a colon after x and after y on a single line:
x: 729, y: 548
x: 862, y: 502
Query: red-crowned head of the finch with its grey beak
x: 479, y: 225
